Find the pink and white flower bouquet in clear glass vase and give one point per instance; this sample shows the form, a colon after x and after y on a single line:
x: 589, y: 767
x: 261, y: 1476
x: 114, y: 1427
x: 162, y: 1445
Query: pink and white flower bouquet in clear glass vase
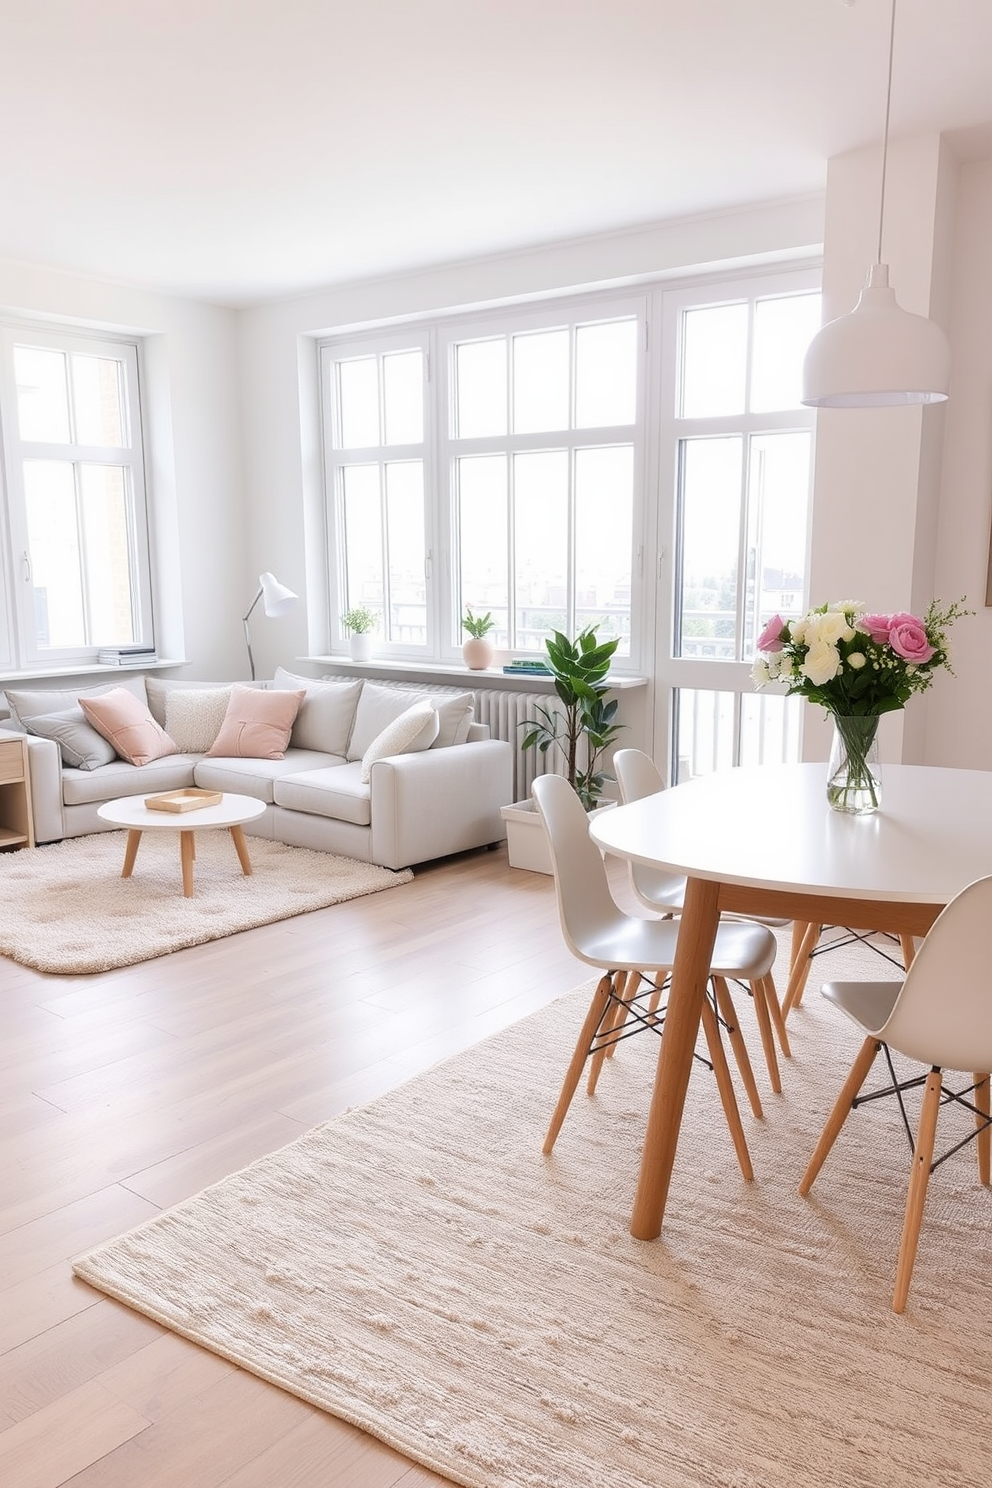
x: 856, y: 666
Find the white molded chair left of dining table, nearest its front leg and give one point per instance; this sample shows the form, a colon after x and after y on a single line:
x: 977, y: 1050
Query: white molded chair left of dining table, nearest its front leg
x: 622, y: 947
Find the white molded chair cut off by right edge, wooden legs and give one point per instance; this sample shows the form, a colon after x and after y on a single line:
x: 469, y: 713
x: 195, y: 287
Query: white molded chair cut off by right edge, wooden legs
x: 939, y: 1016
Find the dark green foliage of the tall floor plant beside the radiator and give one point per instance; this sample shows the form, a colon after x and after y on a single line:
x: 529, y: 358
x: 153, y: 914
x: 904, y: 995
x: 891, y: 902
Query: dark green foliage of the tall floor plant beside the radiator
x: 585, y: 727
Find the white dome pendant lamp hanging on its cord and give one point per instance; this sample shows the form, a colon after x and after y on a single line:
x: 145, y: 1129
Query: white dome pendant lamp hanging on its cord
x: 878, y: 355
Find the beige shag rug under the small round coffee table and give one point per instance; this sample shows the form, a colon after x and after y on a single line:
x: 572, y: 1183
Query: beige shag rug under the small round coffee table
x: 66, y: 910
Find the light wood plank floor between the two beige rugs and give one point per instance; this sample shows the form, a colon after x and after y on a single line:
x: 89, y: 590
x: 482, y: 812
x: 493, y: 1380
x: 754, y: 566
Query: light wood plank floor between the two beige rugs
x: 129, y: 1091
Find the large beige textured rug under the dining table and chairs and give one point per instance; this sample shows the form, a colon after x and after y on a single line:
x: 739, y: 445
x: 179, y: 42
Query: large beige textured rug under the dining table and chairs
x: 422, y: 1271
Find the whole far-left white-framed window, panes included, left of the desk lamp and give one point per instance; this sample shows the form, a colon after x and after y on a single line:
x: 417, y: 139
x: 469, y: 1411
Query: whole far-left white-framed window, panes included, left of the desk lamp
x: 75, y: 542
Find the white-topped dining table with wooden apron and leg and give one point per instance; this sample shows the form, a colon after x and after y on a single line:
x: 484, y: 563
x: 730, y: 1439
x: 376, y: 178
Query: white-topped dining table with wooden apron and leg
x: 762, y: 840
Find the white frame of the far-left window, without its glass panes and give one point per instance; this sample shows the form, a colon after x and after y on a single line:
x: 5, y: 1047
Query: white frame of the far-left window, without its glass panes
x: 22, y: 642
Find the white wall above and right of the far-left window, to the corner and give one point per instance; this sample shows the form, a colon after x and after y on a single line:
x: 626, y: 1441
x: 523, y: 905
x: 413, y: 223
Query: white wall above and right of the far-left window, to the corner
x: 191, y: 398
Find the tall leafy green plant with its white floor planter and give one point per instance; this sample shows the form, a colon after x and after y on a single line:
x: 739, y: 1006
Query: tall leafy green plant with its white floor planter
x: 581, y: 733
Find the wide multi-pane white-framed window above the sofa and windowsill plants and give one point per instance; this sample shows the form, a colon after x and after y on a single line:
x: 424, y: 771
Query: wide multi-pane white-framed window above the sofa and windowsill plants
x: 512, y: 484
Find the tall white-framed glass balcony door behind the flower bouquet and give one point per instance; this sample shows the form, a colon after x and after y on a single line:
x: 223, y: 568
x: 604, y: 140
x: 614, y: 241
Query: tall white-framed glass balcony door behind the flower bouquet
x: 737, y: 456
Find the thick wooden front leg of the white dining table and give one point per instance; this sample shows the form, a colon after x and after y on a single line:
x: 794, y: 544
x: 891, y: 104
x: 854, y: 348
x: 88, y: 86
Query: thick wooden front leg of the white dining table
x: 694, y: 956
